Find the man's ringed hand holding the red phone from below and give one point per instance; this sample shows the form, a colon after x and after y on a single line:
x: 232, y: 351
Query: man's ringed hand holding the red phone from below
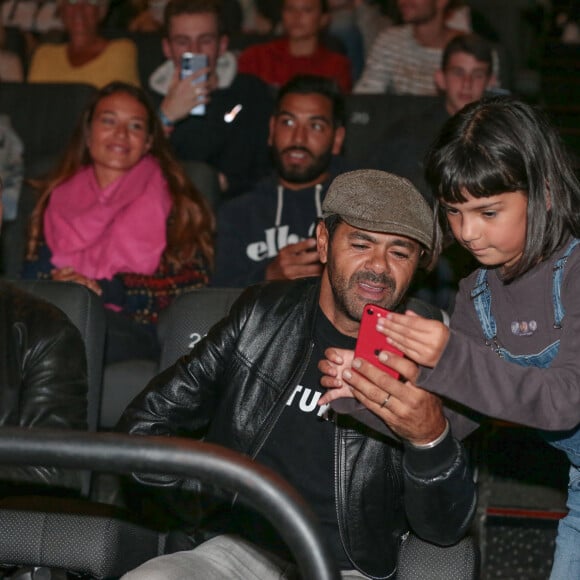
x: 411, y: 412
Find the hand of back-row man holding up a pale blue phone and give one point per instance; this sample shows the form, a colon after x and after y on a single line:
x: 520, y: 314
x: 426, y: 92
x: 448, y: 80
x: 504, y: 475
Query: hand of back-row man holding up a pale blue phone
x: 184, y: 94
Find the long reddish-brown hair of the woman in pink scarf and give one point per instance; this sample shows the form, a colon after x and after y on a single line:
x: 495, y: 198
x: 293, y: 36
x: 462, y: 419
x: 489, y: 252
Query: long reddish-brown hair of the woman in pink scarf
x: 191, y: 223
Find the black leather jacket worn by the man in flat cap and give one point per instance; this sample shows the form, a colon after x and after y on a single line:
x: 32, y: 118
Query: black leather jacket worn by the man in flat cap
x: 233, y: 387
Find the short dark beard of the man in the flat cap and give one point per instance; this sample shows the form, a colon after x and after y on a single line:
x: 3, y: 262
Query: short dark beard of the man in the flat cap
x: 343, y: 296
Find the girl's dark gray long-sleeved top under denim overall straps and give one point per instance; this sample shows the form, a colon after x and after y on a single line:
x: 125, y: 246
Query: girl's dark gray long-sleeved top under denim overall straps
x: 473, y: 374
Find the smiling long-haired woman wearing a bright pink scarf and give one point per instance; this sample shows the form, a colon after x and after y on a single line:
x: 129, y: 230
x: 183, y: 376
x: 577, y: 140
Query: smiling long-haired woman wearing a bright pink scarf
x: 120, y: 216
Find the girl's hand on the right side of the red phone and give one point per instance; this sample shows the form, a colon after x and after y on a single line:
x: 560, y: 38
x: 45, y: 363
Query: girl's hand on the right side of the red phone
x: 420, y: 339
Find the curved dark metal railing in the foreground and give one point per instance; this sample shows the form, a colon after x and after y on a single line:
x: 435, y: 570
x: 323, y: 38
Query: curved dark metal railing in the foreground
x: 258, y: 486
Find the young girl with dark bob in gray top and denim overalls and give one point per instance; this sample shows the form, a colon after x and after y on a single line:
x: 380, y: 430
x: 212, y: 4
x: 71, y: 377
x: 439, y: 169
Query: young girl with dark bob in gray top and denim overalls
x: 501, y: 177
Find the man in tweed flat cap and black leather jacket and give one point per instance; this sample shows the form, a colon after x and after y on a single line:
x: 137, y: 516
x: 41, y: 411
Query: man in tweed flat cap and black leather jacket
x: 253, y: 385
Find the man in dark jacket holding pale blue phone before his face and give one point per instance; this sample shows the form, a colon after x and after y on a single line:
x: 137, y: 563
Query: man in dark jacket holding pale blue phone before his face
x: 231, y: 135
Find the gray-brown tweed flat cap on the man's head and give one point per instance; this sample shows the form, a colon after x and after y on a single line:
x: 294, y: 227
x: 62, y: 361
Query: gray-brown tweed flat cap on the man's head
x: 380, y: 202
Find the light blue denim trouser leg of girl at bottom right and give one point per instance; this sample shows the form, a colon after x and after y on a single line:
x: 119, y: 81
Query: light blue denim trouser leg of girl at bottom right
x: 567, y: 556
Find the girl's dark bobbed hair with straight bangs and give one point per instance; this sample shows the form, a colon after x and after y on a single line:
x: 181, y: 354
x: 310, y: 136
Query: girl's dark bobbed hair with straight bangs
x: 499, y: 145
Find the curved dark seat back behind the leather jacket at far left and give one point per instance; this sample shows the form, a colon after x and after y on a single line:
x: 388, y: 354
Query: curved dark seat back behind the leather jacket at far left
x: 86, y: 311
